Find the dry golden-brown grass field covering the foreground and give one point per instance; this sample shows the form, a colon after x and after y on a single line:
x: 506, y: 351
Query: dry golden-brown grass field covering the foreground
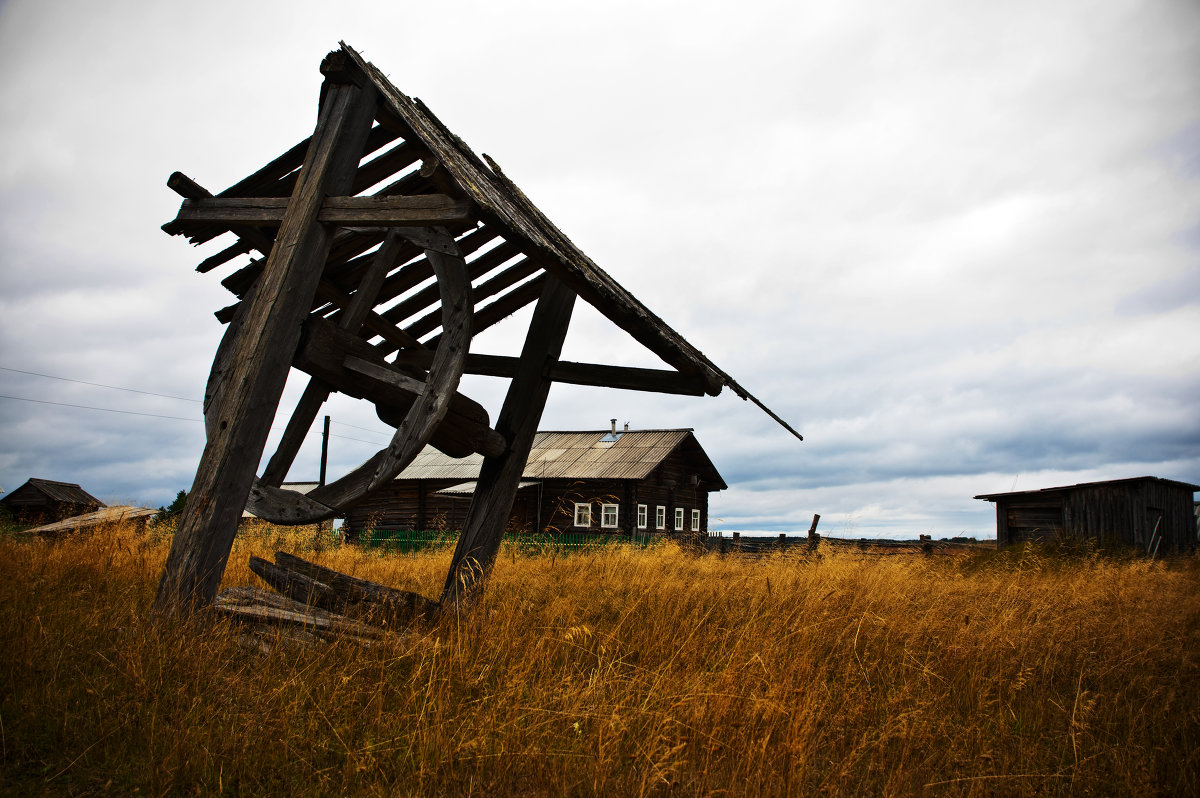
x: 621, y: 673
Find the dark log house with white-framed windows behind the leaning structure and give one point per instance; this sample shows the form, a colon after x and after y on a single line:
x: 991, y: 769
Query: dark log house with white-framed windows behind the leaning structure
x: 627, y: 482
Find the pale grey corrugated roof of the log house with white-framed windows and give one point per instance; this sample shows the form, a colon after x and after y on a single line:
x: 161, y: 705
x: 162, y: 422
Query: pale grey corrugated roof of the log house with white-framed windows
x: 580, y: 455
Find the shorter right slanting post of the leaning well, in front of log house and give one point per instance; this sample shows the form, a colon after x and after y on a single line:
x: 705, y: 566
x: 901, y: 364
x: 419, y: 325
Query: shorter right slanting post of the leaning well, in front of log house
x: 500, y: 477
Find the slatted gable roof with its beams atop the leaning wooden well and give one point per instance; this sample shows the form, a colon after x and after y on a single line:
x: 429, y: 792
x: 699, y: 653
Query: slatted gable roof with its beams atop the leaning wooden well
x: 495, y: 209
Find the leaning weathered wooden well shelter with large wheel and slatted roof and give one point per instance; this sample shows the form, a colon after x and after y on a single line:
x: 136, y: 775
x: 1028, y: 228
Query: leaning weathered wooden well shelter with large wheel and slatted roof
x: 380, y: 248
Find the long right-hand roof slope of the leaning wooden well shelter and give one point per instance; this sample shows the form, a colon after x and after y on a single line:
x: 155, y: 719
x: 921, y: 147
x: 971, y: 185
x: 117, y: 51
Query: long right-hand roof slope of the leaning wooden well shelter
x: 501, y: 202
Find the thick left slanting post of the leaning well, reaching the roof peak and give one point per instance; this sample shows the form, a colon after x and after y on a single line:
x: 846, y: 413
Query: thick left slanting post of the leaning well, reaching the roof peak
x: 262, y: 355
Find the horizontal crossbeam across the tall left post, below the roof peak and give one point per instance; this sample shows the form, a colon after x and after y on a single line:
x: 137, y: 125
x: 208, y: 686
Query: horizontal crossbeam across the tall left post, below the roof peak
x: 346, y: 212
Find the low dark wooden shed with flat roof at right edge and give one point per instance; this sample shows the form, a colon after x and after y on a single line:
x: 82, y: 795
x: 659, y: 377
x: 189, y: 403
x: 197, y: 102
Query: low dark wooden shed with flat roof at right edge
x: 1154, y: 514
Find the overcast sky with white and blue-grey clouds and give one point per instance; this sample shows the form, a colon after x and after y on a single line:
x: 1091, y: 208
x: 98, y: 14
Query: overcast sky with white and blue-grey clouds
x: 955, y: 244
